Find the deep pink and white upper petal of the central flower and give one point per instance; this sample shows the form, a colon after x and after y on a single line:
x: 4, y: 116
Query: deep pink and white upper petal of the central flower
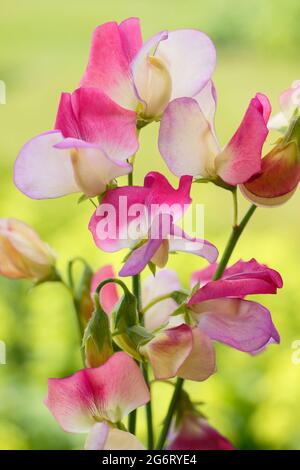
x: 119, y: 209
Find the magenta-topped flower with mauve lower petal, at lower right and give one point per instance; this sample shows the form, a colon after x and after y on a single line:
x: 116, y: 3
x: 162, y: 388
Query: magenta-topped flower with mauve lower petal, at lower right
x: 222, y: 313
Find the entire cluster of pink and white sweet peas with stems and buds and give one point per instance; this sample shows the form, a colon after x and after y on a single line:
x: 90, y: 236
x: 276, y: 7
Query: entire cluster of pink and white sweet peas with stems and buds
x: 167, y: 330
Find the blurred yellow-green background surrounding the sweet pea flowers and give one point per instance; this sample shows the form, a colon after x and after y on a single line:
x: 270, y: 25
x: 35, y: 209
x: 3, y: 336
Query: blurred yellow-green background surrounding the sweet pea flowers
x: 44, y: 47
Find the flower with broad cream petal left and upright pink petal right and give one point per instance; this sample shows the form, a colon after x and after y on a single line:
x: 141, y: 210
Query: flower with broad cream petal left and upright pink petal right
x: 189, y: 146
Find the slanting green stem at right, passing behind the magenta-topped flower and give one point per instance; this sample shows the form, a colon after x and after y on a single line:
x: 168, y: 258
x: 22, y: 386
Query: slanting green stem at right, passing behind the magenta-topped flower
x: 237, y: 231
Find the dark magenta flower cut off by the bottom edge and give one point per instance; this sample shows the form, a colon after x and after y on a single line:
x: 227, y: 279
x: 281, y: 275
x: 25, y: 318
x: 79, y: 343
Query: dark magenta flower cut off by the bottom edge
x: 194, y: 433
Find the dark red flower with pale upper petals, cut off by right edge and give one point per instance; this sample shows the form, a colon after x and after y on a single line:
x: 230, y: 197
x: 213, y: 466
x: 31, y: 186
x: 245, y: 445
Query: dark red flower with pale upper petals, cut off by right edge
x: 279, y: 176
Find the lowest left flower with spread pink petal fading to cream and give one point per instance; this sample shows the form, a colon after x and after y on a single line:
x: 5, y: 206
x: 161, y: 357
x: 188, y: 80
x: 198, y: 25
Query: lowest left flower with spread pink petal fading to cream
x: 95, y: 401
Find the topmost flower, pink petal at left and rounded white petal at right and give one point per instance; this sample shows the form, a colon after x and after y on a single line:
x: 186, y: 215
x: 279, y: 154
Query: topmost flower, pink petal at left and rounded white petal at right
x: 146, y: 77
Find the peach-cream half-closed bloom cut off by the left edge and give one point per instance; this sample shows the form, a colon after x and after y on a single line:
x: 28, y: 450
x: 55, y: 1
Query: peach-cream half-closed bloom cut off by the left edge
x: 23, y: 255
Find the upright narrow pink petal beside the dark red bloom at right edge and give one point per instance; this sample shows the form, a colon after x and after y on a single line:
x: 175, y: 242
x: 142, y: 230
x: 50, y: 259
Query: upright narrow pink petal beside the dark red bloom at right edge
x: 241, y: 158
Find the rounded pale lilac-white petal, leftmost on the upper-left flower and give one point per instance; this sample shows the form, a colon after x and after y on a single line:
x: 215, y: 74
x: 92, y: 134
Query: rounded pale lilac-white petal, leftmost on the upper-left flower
x: 41, y: 171
